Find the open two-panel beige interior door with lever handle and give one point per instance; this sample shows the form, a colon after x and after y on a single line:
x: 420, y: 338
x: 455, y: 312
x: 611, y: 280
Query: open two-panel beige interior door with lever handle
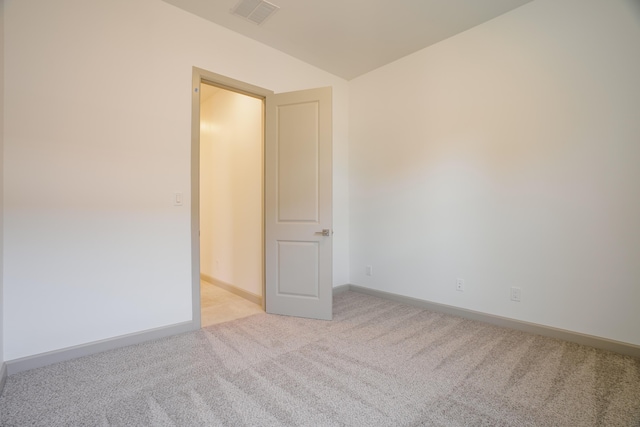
x: 298, y: 212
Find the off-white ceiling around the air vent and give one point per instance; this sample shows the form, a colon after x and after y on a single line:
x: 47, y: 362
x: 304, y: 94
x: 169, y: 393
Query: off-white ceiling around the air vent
x: 351, y: 37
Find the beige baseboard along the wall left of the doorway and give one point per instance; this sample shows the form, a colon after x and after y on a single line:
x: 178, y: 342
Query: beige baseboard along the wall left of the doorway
x: 43, y: 359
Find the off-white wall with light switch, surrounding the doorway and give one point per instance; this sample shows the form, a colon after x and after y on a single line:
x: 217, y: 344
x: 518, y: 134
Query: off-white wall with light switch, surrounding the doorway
x: 97, y: 141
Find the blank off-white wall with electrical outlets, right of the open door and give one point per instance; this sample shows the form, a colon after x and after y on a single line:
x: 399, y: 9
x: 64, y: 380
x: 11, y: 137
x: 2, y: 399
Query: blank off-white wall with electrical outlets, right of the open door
x: 507, y: 156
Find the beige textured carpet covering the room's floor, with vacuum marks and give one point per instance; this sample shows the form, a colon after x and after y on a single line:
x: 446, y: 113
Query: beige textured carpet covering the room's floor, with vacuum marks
x: 379, y: 363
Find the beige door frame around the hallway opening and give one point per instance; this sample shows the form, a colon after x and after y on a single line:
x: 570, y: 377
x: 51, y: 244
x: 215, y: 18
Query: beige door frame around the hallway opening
x: 199, y: 76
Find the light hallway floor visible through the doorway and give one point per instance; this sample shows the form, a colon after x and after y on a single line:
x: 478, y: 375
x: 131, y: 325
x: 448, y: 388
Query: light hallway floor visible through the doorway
x: 218, y: 305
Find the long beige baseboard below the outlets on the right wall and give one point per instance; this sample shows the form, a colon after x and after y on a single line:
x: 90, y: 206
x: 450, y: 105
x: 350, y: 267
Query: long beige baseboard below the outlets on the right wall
x: 534, y: 328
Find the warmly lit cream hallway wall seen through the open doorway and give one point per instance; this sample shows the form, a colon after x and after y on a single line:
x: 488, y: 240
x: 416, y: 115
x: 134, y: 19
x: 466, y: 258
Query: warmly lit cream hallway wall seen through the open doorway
x: 231, y: 172
